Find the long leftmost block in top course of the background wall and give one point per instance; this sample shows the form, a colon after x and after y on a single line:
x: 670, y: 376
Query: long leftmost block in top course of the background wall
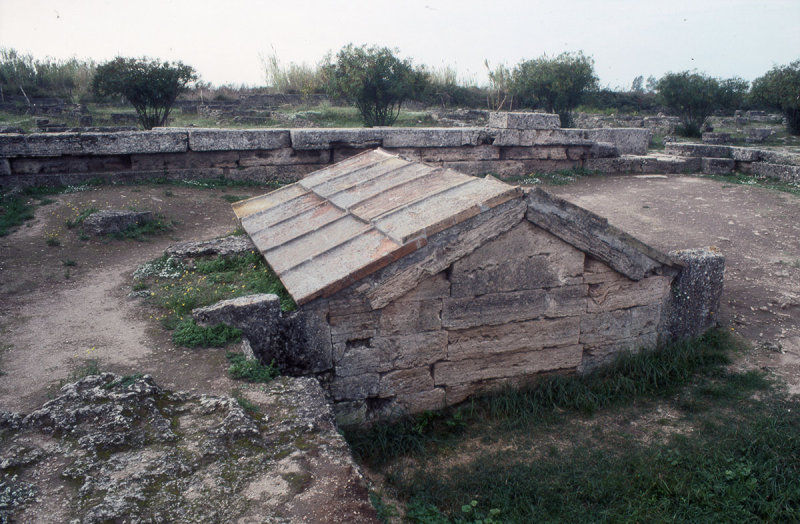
x: 124, y: 142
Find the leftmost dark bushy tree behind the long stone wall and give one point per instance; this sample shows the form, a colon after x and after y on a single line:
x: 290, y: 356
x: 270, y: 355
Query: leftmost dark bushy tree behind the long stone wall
x: 149, y: 85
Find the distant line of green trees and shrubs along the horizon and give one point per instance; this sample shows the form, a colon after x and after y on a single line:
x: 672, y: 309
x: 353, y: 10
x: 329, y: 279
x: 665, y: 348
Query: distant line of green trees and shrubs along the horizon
x: 378, y: 82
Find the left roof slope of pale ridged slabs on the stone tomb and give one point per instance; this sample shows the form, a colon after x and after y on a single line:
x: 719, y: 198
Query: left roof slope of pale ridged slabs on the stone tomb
x: 341, y: 223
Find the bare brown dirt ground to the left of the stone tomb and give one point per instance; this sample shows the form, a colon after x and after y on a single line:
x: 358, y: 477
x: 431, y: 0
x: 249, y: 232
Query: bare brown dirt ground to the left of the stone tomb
x: 56, y: 316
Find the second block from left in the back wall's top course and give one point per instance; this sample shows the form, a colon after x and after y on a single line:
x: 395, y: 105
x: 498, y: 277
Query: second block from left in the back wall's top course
x: 237, y: 139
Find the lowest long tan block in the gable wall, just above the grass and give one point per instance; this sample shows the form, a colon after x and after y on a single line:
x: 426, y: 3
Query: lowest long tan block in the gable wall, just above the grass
x: 506, y: 365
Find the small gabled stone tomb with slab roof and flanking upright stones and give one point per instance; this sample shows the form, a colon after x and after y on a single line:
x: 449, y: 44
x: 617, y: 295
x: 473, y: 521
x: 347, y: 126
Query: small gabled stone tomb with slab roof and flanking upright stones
x: 419, y: 286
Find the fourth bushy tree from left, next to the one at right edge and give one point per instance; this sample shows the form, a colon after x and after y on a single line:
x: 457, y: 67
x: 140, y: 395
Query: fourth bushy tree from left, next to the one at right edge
x: 693, y: 96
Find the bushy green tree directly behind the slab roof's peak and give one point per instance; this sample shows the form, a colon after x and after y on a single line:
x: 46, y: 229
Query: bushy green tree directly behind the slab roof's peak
x: 374, y: 80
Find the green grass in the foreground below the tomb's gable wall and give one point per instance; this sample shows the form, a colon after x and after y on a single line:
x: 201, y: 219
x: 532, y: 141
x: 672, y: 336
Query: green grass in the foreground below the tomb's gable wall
x: 536, y: 454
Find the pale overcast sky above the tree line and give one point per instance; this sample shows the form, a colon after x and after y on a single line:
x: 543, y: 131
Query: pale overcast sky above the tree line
x: 224, y: 39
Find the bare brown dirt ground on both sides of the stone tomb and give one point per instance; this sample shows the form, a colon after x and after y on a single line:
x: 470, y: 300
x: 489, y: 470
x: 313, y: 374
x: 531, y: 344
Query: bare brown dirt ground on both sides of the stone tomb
x: 55, y: 316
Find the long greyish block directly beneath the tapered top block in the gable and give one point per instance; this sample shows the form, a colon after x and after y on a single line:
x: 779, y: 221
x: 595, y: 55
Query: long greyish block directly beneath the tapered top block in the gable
x: 499, y: 308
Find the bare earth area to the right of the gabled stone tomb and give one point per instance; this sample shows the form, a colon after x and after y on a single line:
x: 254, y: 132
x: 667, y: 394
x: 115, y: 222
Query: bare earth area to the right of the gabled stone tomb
x: 758, y: 231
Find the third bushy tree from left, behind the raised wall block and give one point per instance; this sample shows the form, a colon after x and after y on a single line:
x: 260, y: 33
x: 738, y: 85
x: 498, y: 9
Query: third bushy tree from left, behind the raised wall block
x: 554, y: 84
